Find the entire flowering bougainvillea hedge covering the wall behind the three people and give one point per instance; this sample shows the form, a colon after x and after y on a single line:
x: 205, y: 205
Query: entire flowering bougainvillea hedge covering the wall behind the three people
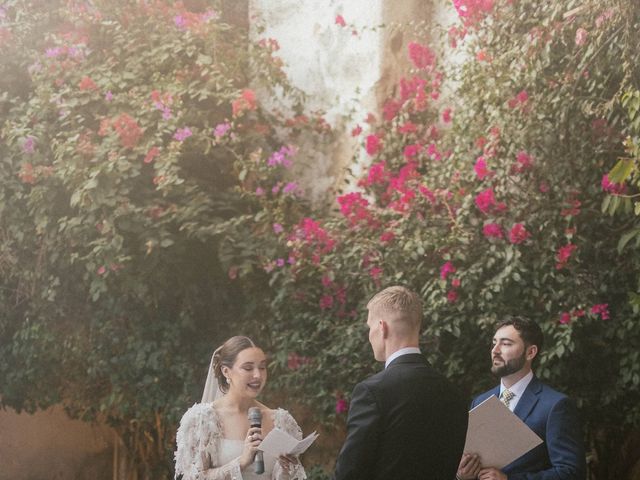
x: 149, y: 209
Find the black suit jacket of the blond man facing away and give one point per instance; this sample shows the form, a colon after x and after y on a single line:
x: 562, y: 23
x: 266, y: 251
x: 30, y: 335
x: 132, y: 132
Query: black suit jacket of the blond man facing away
x: 406, y: 422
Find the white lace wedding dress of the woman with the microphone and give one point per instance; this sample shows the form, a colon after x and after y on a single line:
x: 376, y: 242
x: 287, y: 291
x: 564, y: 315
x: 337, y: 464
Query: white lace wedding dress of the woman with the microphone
x: 203, y: 454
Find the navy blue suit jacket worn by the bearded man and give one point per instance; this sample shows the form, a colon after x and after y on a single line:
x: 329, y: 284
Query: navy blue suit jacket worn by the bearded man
x: 554, y: 418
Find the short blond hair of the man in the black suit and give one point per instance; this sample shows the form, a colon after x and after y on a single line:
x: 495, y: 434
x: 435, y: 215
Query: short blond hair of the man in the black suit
x: 398, y: 305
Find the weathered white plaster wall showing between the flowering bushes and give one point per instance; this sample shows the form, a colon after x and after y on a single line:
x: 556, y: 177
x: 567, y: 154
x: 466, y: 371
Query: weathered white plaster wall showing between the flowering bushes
x: 347, y: 71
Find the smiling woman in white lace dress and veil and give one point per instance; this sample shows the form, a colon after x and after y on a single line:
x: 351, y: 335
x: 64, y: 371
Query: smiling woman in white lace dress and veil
x: 215, y: 440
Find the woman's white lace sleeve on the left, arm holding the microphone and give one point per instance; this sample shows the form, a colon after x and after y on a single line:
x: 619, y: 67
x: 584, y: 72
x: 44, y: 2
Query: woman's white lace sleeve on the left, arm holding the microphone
x: 197, y: 440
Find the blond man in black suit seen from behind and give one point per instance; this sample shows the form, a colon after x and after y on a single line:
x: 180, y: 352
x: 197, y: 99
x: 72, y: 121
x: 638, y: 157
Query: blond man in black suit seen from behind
x: 406, y: 422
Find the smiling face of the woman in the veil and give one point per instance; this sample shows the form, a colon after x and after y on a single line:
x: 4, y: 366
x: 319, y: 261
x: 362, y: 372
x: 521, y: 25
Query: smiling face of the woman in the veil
x: 248, y: 375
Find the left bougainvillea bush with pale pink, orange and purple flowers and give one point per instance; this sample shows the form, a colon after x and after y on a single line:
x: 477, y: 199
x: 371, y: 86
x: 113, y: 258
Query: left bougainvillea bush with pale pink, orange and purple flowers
x: 123, y: 126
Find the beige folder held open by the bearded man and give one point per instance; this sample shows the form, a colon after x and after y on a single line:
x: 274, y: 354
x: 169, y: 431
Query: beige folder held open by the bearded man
x: 497, y: 435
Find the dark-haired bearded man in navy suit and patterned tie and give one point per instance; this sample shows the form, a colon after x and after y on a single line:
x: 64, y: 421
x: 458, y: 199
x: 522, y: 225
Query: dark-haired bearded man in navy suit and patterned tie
x: 517, y: 344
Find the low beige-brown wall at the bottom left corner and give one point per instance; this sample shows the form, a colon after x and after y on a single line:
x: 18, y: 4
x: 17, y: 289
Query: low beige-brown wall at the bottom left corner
x: 48, y: 445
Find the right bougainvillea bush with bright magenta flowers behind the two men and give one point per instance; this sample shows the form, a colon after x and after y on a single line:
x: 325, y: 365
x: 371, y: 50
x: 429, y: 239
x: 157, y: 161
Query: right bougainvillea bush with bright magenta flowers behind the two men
x: 483, y: 191
